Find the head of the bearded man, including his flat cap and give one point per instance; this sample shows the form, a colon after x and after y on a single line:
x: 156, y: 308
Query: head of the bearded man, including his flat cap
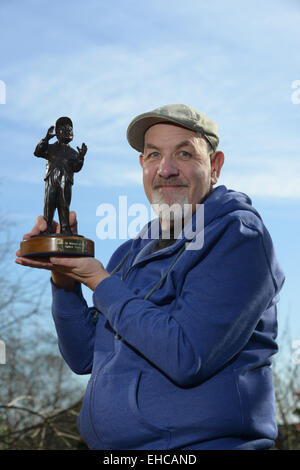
x: 180, y: 163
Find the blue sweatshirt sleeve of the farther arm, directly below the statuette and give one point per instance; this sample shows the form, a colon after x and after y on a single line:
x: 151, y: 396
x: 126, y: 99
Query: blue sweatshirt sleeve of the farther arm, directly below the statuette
x: 76, y: 328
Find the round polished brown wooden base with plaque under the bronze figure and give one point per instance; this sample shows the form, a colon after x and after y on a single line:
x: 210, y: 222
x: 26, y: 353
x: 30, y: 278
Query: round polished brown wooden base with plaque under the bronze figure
x: 42, y: 246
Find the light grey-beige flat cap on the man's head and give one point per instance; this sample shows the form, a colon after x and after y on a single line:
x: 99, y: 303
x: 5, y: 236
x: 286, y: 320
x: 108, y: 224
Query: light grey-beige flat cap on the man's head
x: 180, y: 114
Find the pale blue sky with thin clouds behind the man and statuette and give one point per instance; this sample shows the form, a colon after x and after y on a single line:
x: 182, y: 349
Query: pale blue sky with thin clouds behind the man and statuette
x: 102, y: 63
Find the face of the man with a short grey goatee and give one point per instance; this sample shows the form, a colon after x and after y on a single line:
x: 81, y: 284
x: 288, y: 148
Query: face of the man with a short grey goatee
x: 176, y: 166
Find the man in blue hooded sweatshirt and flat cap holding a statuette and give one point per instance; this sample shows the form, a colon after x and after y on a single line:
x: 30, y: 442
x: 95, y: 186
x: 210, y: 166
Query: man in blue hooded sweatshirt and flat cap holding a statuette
x: 179, y: 341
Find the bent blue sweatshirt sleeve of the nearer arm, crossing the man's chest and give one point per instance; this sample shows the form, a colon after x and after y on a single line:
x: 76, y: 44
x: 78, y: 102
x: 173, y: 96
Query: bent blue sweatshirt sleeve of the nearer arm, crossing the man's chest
x: 212, y: 319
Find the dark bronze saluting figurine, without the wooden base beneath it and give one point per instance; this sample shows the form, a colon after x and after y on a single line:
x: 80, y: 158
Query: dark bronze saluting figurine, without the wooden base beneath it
x: 62, y: 162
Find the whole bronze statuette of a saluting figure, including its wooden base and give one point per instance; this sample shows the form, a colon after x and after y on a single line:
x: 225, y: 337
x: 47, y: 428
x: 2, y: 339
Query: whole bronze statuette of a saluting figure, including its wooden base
x: 62, y: 162
